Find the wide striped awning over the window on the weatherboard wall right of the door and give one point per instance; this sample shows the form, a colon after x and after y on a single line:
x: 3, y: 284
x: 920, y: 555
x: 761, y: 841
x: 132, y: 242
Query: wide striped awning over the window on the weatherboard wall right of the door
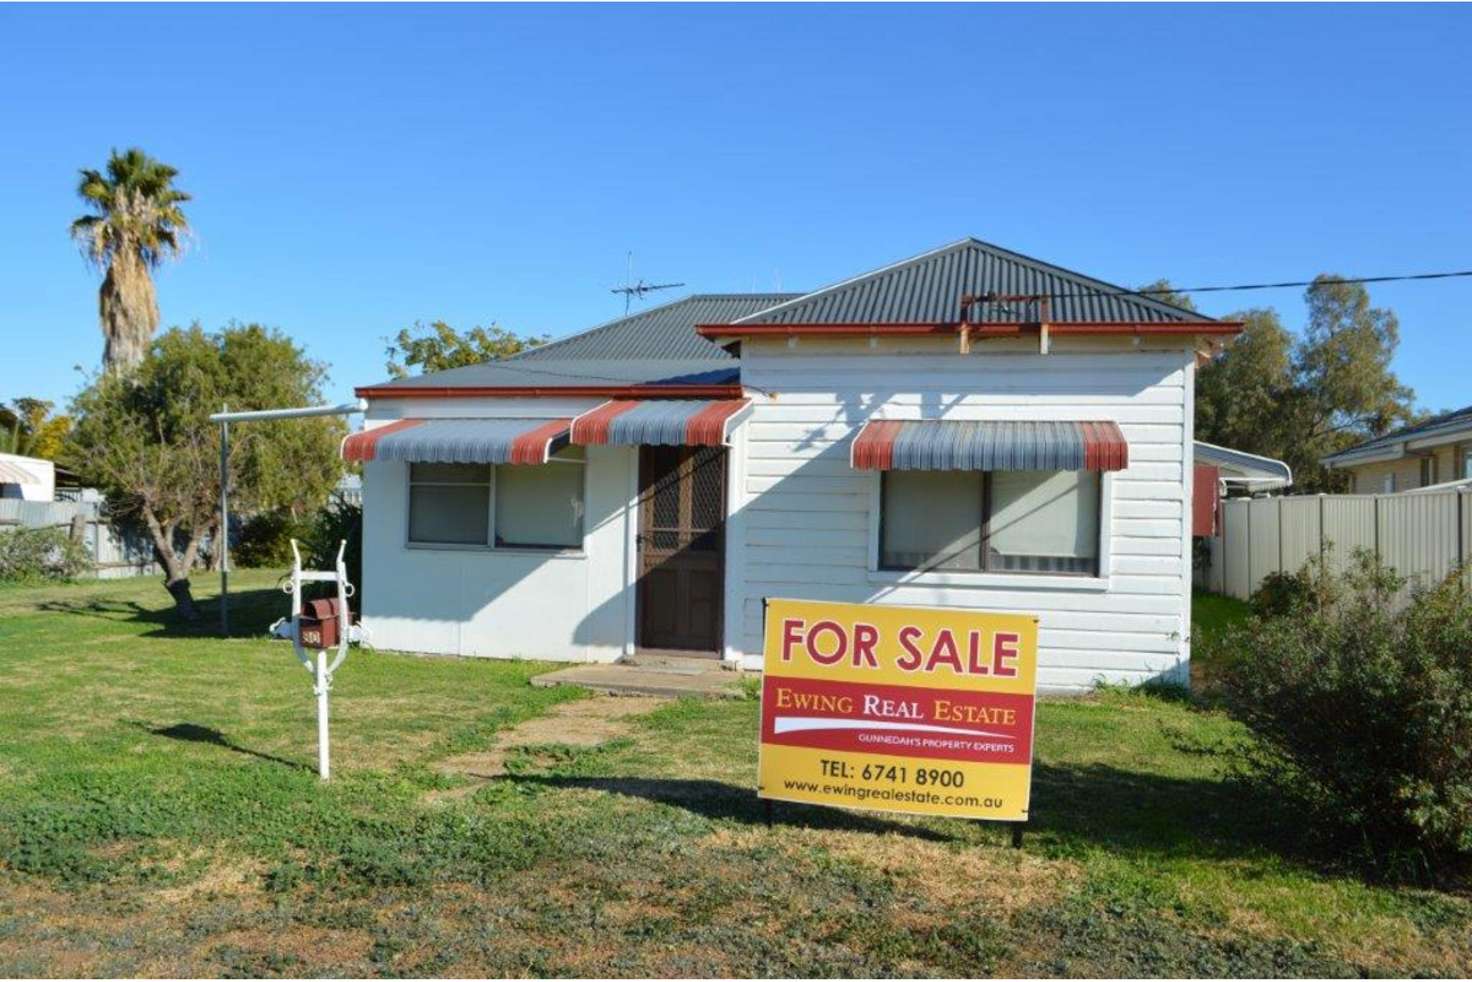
x: 991, y: 445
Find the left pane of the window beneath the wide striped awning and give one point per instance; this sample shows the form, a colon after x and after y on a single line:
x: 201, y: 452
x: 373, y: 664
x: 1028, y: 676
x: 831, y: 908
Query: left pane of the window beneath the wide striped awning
x: 933, y: 520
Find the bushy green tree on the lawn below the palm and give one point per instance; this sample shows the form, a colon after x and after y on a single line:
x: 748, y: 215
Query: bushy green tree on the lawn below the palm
x: 146, y: 441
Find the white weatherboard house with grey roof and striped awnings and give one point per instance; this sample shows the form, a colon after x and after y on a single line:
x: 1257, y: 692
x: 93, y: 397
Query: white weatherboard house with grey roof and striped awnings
x: 971, y: 428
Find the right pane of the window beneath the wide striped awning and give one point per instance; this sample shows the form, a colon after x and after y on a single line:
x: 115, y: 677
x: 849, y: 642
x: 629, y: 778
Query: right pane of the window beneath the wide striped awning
x: 1046, y: 522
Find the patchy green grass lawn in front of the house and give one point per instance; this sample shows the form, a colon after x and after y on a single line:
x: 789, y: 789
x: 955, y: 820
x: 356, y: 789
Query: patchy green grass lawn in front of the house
x: 160, y: 815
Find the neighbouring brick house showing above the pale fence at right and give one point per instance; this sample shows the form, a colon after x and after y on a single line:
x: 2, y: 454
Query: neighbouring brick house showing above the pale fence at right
x: 1421, y: 456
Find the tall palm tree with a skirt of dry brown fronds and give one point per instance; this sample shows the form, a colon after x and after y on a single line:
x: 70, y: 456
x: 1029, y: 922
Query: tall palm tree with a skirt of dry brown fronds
x: 136, y: 225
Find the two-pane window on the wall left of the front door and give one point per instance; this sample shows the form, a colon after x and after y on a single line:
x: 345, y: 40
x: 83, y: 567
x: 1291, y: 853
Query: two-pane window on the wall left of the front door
x: 516, y: 507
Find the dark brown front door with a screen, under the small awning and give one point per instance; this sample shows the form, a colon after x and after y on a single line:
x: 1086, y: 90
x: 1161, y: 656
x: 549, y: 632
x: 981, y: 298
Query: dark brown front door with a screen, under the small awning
x: 682, y: 547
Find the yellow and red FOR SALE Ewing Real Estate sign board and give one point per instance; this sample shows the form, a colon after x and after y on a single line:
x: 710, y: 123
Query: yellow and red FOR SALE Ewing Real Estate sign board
x: 899, y: 709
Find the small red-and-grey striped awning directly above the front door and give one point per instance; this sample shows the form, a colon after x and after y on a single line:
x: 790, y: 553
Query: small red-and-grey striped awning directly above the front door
x: 663, y: 422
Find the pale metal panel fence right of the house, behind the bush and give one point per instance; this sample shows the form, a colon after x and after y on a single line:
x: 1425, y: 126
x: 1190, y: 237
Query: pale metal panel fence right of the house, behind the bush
x: 1423, y: 537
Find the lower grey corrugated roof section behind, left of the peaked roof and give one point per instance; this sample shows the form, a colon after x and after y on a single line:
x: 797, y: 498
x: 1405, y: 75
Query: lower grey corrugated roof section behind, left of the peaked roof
x: 660, y: 333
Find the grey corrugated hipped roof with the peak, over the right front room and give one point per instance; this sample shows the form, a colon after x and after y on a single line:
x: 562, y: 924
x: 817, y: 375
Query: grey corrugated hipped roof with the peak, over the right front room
x: 928, y: 289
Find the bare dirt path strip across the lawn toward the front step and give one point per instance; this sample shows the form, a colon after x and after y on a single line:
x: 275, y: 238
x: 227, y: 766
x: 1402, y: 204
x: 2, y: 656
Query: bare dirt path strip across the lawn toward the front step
x: 581, y: 724
